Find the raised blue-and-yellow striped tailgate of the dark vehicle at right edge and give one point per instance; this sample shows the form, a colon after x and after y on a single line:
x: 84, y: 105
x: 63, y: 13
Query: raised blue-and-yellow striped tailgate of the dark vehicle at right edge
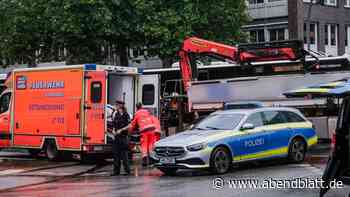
x: 337, y: 88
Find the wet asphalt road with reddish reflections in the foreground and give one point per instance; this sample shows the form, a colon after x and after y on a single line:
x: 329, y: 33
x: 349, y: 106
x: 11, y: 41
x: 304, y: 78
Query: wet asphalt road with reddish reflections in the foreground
x: 22, y: 176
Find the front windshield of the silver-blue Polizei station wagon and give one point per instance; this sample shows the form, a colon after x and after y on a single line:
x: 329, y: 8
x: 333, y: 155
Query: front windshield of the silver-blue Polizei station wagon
x: 219, y: 122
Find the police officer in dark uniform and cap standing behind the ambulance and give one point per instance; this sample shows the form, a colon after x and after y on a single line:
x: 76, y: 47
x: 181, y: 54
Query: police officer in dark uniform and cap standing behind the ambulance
x: 121, y: 143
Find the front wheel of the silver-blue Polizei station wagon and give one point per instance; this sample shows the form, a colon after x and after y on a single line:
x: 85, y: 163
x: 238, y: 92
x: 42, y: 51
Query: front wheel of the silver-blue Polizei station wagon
x: 220, y: 161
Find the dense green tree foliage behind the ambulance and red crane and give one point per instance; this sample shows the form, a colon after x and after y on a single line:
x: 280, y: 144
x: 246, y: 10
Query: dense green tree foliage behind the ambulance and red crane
x: 91, y: 30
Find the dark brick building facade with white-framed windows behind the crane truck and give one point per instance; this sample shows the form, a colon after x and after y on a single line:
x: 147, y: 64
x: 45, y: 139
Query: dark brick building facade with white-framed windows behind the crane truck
x: 324, y: 28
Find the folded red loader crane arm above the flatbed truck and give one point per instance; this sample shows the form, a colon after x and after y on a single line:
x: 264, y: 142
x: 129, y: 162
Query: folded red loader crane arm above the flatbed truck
x: 245, y: 53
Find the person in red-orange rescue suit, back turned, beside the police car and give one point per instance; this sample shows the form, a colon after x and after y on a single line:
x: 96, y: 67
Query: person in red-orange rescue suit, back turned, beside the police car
x: 143, y: 123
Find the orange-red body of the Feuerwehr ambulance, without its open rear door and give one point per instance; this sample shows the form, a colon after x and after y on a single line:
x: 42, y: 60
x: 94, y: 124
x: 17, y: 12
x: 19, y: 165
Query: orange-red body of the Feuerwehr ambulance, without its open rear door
x: 62, y: 108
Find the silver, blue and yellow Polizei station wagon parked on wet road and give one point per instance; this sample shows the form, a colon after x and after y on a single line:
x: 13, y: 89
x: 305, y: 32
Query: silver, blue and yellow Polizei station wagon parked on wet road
x: 231, y: 136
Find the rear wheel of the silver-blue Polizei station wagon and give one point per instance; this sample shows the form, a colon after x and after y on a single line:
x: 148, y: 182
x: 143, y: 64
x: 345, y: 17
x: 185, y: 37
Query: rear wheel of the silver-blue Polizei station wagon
x: 297, y: 150
